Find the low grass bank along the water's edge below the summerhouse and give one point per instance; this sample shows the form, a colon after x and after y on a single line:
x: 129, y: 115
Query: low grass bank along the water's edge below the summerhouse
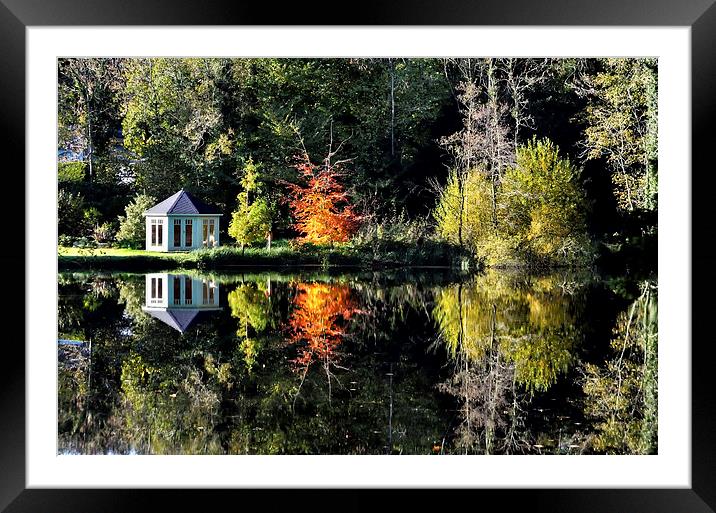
x: 381, y: 255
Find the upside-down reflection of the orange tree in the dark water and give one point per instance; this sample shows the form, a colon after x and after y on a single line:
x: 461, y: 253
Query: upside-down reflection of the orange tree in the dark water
x: 317, y: 324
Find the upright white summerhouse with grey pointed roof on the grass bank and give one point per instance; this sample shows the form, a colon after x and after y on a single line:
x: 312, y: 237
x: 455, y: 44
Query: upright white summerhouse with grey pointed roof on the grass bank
x: 181, y: 223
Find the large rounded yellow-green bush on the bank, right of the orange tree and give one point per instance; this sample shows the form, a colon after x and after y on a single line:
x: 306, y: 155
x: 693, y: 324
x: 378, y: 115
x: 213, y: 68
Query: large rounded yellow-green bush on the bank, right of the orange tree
x: 538, y: 217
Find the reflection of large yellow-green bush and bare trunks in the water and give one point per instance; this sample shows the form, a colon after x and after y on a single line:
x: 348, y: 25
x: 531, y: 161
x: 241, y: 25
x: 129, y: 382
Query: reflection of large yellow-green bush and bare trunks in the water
x: 508, y: 337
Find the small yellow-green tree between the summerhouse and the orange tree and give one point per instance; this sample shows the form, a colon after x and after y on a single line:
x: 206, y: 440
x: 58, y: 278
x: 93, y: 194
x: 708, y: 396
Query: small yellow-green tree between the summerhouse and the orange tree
x: 251, y: 221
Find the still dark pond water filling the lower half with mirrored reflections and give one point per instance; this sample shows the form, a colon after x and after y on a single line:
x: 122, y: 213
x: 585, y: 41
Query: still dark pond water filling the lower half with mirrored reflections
x: 376, y: 363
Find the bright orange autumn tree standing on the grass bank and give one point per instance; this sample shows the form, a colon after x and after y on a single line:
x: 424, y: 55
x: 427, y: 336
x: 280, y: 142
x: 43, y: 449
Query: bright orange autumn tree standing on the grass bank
x: 321, y: 206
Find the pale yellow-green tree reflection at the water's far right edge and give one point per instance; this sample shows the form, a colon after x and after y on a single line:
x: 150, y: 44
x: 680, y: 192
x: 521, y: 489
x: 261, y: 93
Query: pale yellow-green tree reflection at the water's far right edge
x: 621, y: 395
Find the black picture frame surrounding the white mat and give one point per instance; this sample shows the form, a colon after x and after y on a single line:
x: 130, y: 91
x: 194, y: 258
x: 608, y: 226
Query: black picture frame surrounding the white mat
x: 700, y: 15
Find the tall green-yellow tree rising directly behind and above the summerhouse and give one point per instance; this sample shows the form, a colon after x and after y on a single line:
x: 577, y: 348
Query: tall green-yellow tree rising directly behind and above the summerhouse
x: 174, y: 121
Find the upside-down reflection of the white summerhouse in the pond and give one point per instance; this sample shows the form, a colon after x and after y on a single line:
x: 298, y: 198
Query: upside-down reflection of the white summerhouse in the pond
x: 178, y: 299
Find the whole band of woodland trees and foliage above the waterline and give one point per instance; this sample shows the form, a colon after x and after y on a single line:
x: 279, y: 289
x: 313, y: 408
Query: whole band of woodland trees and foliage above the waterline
x: 152, y: 125
